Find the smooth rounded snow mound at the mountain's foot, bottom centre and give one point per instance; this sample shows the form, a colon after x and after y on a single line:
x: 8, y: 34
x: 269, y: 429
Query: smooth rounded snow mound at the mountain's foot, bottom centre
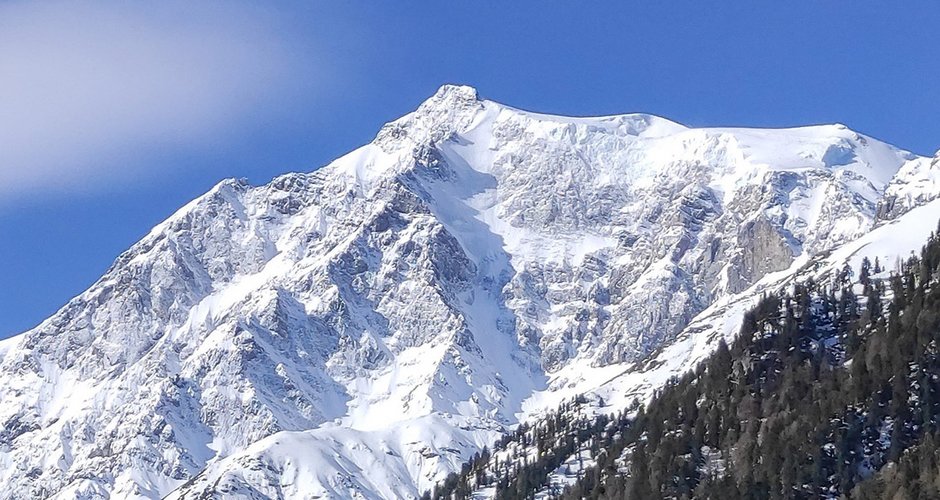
x: 340, y: 462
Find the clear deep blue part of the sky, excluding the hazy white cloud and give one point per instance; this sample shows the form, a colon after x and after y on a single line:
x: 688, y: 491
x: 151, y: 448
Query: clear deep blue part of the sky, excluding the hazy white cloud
x: 873, y: 66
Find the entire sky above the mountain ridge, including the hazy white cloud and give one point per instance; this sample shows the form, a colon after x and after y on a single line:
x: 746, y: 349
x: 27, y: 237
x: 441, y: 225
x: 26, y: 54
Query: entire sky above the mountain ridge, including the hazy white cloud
x: 114, y: 115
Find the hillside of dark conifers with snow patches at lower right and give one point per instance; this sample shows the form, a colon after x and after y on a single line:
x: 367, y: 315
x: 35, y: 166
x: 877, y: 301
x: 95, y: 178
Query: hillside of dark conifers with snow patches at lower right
x: 830, y: 390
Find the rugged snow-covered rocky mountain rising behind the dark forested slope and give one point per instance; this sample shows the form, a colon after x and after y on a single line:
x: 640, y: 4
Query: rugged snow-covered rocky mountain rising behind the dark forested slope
x: 362, y: 329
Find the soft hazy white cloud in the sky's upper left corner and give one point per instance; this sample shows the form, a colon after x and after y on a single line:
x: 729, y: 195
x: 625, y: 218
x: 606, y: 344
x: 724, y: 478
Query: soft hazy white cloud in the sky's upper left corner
x: 85, y: 87
